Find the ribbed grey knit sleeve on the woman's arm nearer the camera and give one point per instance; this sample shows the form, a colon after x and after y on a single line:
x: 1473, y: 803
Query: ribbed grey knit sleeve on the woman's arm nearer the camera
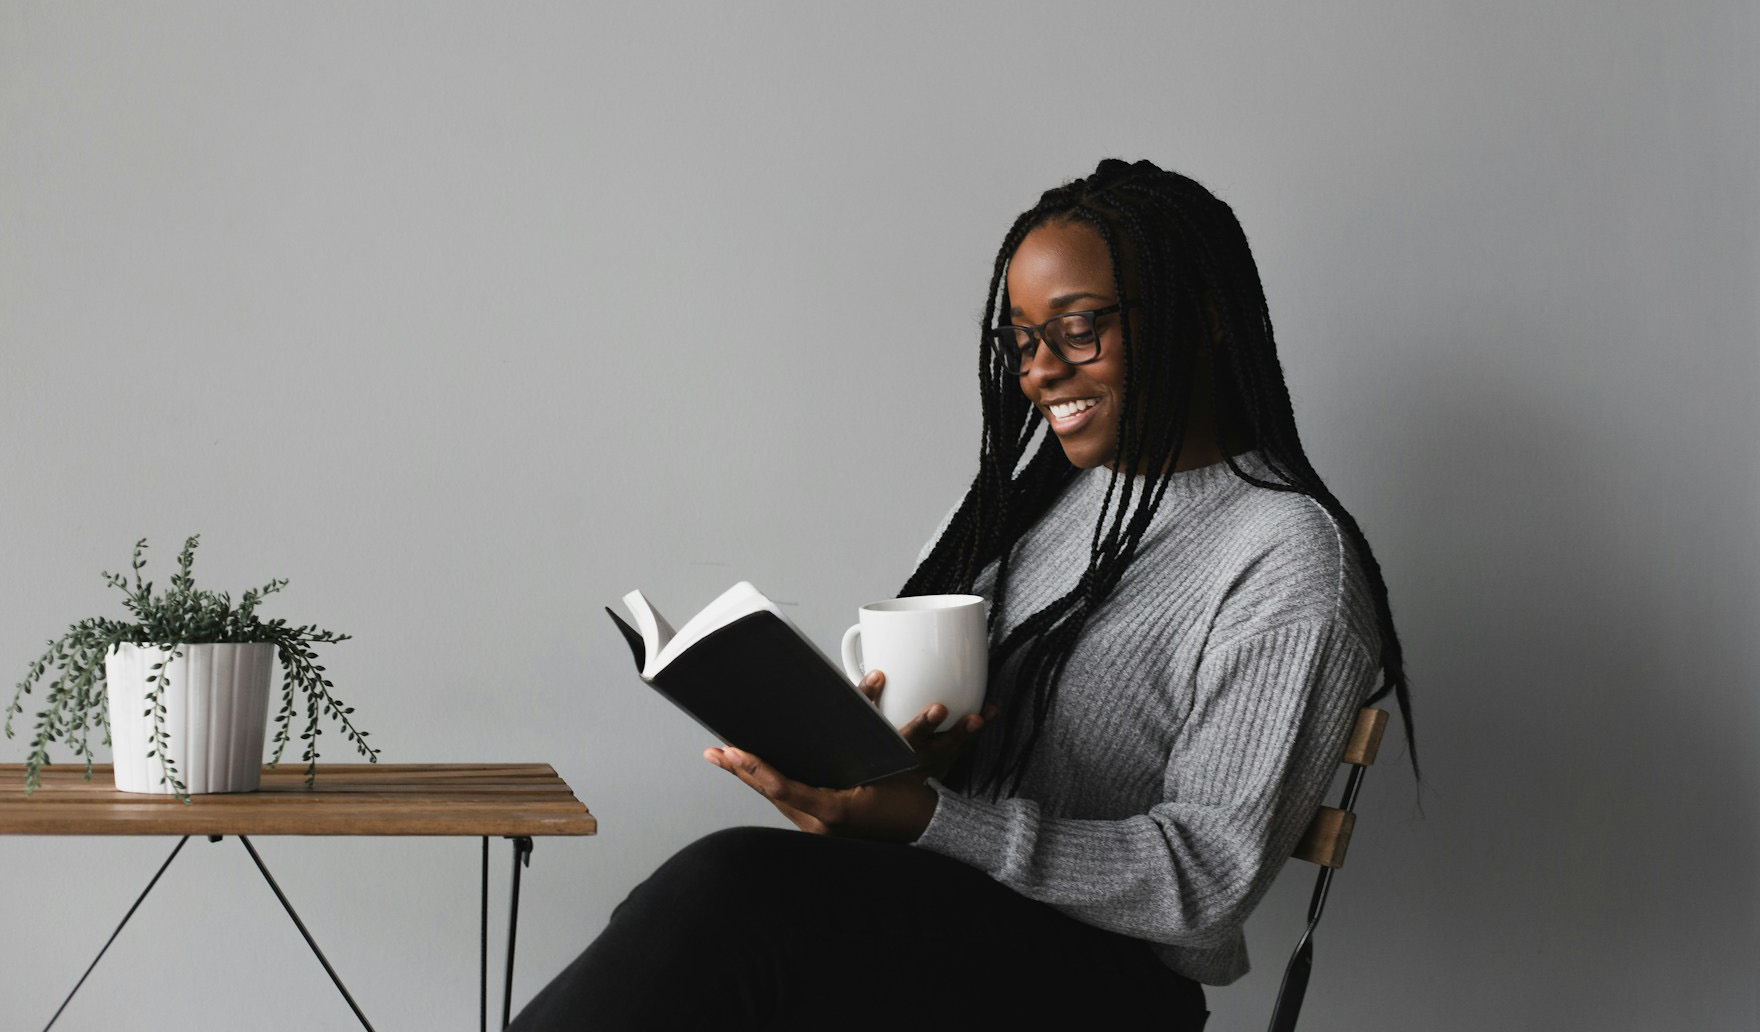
x: 1245, y: 778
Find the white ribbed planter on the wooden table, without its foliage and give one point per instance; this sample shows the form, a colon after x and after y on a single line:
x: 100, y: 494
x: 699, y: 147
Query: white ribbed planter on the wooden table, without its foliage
x: 217, y: 711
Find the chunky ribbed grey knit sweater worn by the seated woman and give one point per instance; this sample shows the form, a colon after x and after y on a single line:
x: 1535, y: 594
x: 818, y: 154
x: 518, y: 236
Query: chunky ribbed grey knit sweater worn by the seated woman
x: 1198, y: 723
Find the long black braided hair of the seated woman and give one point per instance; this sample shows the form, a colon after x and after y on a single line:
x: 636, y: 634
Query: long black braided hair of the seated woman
x: 1201, y: 306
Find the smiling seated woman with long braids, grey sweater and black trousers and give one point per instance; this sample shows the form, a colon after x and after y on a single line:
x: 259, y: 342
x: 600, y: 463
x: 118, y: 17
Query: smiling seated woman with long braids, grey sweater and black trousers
x: 1184, y: 624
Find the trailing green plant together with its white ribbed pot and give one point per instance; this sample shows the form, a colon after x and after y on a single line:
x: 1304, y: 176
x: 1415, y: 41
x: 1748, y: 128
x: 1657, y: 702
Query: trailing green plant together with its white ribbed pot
x: 182, y: 689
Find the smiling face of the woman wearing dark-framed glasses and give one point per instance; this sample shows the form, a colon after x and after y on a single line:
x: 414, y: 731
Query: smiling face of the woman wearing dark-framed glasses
x: 1062, y: 269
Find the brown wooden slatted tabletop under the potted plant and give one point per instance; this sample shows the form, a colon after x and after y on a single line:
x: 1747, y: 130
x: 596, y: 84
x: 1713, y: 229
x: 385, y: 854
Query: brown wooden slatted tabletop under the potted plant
x: 349, y: 799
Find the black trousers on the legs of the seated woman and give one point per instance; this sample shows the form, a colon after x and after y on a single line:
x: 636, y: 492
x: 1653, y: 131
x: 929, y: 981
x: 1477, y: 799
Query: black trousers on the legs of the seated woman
x: 768, y: 929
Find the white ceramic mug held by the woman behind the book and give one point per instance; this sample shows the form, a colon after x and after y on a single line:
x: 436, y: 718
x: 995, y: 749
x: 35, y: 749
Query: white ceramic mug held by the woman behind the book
x: 932, y: 649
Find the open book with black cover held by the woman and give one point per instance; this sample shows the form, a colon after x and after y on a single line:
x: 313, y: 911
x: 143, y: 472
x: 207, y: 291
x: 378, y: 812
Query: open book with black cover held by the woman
x: 749, y: 675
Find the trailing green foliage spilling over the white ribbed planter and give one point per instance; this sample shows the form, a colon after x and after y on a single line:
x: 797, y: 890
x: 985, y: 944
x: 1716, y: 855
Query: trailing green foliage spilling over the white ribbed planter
x: 77, y: 700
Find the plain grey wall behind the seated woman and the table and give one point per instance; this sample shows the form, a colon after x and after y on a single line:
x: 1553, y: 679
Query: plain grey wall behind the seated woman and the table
x: 473, y: 318
